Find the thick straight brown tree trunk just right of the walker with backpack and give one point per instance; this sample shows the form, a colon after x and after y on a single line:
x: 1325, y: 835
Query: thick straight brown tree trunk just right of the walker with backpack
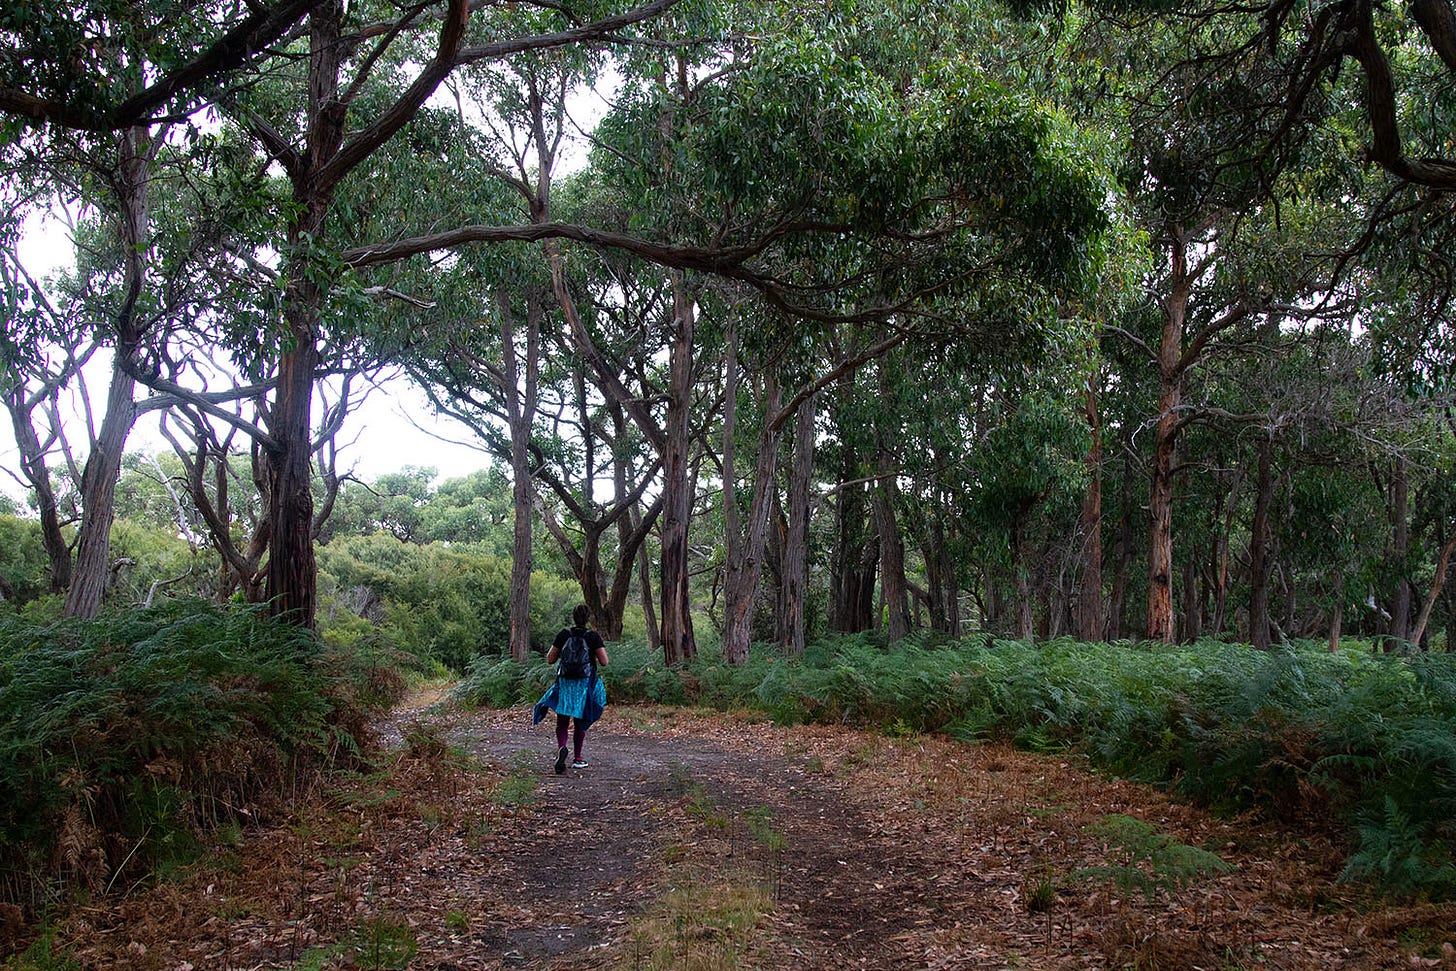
x: 678, y: 487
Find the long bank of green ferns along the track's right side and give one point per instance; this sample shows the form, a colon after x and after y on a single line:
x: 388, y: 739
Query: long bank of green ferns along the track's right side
x: 1355, y: 742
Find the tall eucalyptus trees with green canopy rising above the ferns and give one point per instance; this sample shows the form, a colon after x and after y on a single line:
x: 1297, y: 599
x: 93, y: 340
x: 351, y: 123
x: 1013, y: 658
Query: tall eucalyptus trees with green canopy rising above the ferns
x: 1129, y: 320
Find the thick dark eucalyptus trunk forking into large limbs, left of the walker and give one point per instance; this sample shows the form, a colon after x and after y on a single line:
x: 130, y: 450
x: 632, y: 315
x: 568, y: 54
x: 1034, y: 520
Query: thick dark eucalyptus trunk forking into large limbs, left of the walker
x: 320, y: 138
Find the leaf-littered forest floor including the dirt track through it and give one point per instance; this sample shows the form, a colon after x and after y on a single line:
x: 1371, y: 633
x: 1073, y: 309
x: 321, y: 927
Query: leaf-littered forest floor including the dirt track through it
x: 701, y: 841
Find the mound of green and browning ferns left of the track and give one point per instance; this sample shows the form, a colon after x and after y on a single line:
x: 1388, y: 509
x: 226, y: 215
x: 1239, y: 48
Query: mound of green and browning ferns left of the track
x: 124, y: 739
